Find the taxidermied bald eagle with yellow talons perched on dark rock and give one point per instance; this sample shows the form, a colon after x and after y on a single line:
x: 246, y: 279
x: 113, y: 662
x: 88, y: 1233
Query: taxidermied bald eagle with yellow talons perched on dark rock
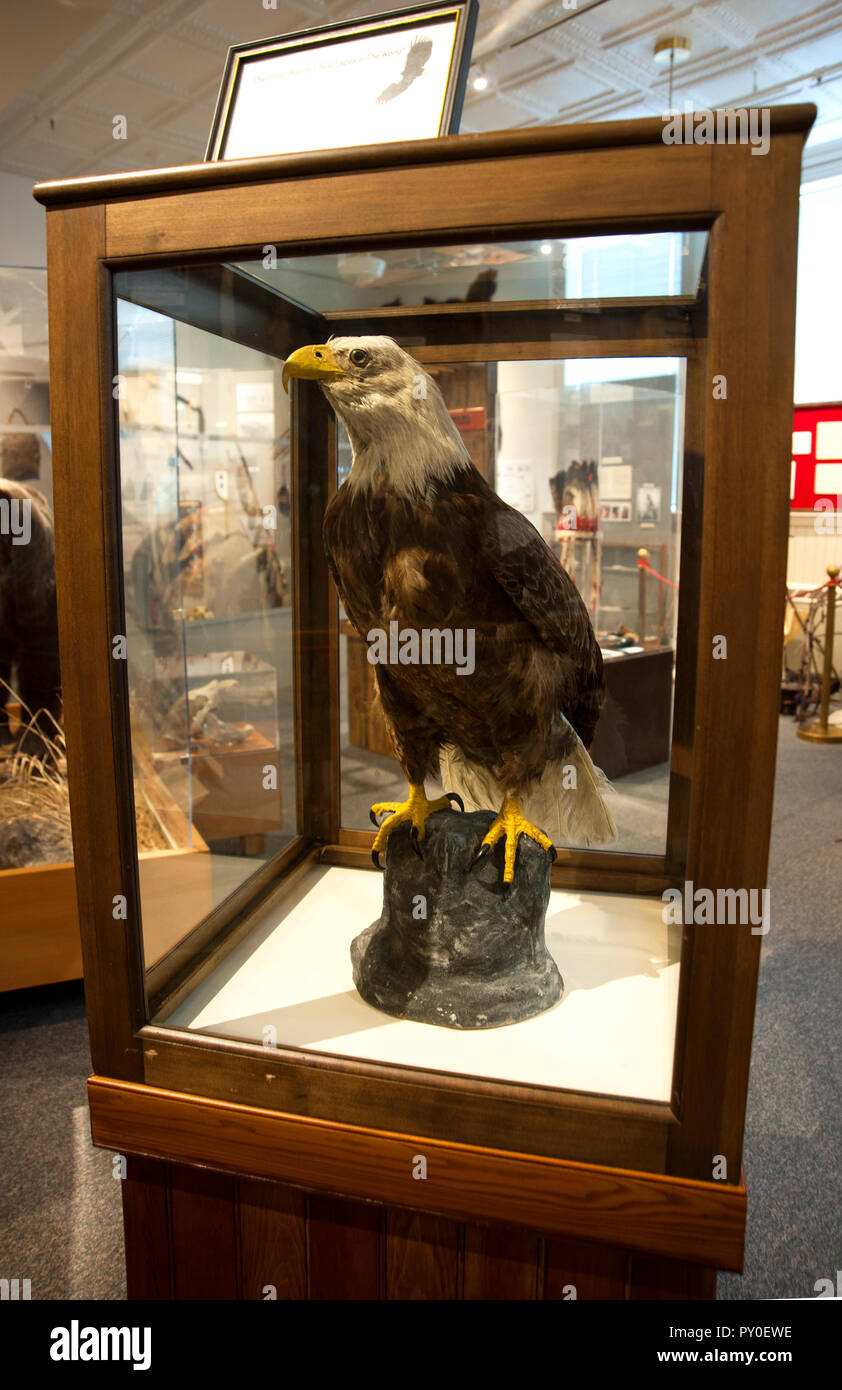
x: 418, y: 539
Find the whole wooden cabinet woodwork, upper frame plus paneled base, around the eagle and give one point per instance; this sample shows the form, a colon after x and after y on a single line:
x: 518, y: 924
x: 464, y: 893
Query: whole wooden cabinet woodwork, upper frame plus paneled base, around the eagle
x: 294, y: 1164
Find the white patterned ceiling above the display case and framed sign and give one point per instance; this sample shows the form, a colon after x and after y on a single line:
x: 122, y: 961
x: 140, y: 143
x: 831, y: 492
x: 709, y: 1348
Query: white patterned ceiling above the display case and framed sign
x: 70, y: 66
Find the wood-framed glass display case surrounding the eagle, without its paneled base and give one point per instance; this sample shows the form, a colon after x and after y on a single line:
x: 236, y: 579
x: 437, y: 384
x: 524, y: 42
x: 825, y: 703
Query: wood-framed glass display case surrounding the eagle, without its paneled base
x: 573, y: 297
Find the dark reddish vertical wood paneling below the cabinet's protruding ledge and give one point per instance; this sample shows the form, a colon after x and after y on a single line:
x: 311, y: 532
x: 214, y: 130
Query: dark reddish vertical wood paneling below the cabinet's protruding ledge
x: 195, y: 1234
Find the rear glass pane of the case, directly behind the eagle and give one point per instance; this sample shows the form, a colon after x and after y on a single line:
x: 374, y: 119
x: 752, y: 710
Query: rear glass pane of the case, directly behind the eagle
x: 590, y: 451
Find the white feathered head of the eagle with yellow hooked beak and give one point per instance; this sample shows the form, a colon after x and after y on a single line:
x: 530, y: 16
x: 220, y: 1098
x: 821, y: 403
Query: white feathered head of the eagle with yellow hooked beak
x: 401, y: 430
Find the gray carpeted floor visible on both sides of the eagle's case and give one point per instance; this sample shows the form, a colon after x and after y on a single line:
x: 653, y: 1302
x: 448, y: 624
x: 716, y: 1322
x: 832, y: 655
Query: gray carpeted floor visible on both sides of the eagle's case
x: 60, y: 1214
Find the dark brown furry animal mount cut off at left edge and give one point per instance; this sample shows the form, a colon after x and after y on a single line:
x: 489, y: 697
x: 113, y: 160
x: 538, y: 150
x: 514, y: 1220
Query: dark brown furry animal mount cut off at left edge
x: 28, y: 619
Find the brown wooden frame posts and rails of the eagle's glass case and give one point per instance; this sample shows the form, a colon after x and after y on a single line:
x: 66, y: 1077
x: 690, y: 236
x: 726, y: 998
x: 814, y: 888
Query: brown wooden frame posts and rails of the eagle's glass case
x: 559, y: 181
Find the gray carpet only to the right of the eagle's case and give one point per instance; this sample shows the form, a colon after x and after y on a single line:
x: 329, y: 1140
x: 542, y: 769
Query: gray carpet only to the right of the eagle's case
x: 794, y: 1124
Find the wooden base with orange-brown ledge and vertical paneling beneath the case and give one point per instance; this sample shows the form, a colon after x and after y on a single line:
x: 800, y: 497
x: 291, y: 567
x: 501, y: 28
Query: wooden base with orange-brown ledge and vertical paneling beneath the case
x: 222, y: 1202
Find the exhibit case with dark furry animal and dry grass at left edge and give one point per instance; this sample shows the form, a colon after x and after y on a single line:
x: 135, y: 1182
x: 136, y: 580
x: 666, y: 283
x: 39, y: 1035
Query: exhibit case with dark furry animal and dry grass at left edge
x: 40, y: 935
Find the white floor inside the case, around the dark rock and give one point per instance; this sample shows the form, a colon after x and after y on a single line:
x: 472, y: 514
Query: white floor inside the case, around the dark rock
x: 613, y: 1032
